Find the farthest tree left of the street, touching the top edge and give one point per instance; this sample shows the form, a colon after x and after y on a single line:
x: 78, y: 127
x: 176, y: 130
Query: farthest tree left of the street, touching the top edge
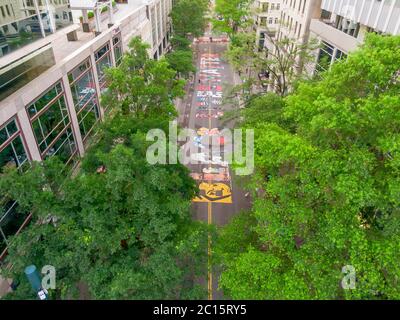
x: 188, y: 17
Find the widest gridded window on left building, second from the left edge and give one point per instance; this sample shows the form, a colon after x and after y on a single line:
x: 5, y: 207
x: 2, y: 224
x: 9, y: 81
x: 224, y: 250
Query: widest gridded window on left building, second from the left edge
x: 52, y: 126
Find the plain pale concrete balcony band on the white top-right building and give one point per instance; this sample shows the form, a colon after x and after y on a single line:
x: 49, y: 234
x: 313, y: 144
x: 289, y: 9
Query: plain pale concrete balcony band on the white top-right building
x: 326, y: 31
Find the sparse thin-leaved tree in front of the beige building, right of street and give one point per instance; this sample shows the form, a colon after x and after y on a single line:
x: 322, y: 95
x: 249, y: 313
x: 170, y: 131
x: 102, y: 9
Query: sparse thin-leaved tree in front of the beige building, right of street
x: 283, y: 62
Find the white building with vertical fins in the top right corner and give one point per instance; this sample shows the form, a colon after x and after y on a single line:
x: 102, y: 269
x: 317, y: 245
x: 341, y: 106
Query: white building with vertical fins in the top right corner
x: 342, y: 25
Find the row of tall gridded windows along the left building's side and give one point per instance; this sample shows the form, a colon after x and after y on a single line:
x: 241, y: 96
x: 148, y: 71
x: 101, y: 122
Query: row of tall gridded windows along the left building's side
x: 52, y: 128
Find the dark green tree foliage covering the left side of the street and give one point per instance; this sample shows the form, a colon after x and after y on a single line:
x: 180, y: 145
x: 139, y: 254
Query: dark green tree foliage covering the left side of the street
x: 118, y: 226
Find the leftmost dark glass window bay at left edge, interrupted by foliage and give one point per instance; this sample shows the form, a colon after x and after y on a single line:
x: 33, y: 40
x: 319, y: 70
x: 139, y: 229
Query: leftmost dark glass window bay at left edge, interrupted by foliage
x: 12, y: 153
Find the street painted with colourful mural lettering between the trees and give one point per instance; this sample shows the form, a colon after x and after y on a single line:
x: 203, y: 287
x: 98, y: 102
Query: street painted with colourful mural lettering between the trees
x: 220, y: 195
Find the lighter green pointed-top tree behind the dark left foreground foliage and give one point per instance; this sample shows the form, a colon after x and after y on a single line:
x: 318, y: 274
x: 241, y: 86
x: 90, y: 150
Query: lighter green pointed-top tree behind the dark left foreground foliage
x: 141, y: 85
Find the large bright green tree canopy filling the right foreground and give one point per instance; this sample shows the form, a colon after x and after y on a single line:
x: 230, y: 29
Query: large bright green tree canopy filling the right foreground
x: 326, y: 187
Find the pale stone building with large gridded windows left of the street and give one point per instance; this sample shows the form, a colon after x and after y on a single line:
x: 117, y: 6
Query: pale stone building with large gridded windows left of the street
x: 52, y: 76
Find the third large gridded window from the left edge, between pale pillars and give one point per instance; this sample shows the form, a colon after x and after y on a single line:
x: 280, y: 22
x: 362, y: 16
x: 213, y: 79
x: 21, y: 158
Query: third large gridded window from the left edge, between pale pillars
x: 85, y: 97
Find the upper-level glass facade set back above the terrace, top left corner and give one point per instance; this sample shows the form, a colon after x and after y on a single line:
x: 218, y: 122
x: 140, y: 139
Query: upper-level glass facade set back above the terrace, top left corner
x: 24, y: 21
